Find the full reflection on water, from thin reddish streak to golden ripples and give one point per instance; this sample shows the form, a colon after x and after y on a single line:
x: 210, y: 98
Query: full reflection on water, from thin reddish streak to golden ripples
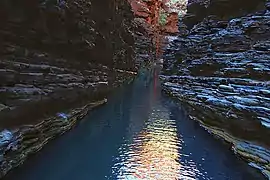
x: 153, y: 153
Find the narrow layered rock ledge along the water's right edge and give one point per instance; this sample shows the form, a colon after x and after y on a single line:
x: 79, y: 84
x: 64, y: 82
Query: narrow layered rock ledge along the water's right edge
x: 257, y: 155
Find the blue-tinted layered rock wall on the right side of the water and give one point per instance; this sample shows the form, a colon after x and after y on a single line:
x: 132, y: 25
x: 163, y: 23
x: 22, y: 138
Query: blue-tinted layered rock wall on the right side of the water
x: 221, y: 71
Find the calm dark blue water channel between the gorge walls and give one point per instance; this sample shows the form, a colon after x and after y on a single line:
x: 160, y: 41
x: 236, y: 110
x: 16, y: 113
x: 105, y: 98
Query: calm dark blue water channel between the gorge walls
x: 139, y: 134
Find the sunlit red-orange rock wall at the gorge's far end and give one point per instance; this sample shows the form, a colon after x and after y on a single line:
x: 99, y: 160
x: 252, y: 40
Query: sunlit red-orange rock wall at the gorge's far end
x: 159, y: 18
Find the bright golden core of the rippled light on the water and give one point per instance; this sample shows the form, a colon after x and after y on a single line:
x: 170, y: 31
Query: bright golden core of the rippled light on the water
x: 158, y: 153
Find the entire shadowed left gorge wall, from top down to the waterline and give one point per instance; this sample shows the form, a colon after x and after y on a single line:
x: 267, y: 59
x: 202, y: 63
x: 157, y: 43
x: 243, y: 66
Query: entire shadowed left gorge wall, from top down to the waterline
x: 56, y: 56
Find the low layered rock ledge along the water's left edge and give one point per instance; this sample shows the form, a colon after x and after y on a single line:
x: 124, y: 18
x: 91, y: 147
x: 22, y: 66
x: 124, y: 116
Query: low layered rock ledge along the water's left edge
x: 17, y: 145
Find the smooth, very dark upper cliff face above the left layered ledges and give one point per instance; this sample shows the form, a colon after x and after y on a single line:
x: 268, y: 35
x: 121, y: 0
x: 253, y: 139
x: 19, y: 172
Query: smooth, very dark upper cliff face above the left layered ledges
x: 72, y: 29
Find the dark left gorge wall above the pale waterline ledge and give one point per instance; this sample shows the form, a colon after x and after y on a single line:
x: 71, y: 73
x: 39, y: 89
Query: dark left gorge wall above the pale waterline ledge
x: 59, y: 51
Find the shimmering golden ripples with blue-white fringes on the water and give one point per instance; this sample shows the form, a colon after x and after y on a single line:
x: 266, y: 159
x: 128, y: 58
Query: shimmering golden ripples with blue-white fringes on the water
x: 154, y: 152
